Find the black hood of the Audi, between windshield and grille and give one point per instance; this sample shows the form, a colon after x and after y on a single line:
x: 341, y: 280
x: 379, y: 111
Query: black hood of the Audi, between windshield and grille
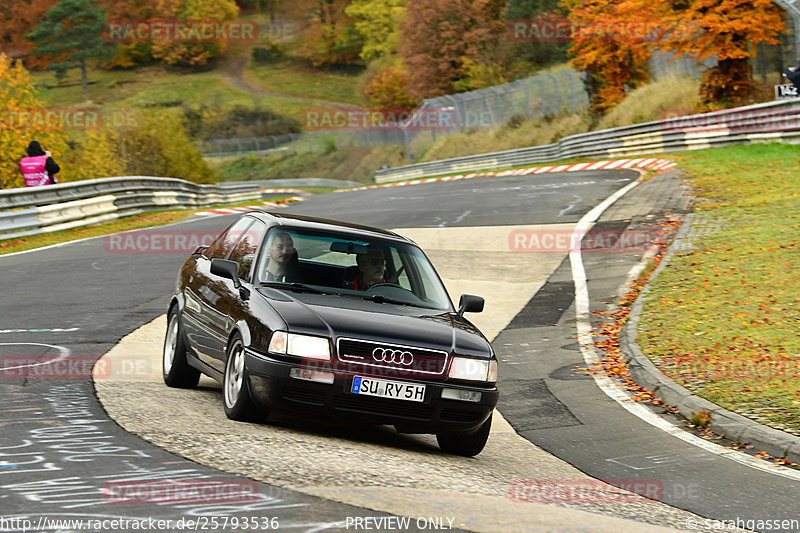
x: 352, y: 317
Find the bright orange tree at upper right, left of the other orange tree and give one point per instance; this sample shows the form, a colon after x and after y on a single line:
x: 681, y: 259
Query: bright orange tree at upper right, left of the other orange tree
x: 612, y: 43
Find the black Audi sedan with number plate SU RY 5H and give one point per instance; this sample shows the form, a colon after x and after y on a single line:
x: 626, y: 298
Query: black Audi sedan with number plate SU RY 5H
x: 300, y: 314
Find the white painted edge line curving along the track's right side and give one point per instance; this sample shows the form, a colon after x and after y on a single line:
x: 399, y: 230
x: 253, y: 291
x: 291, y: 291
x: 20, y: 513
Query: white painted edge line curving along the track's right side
x: 609, y: 386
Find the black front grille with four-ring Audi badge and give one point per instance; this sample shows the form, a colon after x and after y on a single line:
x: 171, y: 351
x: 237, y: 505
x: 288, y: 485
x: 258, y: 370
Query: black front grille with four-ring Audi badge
x: 390, y: 360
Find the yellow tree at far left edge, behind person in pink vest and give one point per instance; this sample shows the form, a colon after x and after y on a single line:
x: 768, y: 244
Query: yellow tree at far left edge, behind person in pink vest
x: 21, y: 113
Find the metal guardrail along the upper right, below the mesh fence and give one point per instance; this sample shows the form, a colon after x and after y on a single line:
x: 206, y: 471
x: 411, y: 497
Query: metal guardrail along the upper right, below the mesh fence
x: 772, y: 121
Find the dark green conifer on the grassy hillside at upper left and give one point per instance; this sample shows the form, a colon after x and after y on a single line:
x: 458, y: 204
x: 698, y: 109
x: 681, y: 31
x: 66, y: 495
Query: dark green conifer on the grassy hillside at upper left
x: 72, y: 33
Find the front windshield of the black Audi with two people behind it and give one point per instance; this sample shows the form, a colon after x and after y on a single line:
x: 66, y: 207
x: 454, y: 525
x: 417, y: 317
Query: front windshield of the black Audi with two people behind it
x: 382, y: 271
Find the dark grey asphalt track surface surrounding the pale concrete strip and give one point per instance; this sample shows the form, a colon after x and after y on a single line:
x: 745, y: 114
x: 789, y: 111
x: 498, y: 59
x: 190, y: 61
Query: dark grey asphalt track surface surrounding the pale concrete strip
x: 59, y: 449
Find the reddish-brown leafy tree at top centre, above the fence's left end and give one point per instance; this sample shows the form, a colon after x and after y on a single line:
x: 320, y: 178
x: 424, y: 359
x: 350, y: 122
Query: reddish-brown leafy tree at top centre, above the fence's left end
x: 438, y: 36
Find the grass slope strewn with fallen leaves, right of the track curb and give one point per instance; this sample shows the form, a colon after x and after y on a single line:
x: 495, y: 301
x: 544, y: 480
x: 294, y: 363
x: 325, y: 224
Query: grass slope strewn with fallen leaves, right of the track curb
x: 723, y: 320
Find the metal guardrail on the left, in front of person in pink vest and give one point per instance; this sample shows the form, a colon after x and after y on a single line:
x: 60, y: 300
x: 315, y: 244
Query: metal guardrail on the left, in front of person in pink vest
x: 34, y: 210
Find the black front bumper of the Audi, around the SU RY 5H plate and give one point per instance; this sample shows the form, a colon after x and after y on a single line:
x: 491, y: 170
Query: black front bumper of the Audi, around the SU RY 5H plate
x: 272, y: 387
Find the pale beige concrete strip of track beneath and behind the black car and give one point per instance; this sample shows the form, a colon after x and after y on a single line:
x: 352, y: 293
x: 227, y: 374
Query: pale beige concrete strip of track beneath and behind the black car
x: 374, y: 467
